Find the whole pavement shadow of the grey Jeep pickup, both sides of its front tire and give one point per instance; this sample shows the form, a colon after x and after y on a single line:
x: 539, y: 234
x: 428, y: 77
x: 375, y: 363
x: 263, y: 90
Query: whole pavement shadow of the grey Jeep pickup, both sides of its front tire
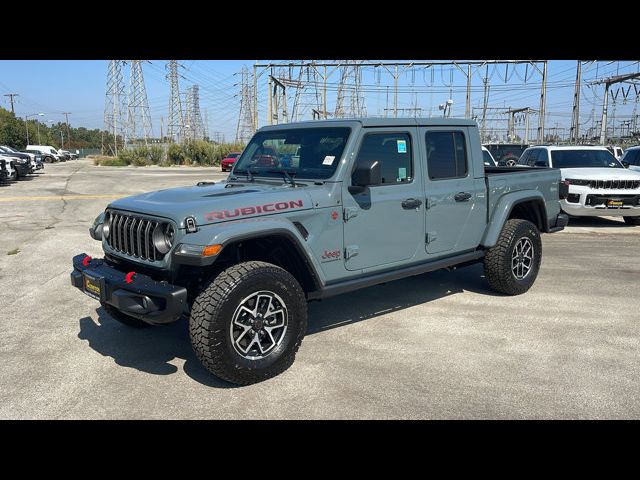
x: 151, y: 350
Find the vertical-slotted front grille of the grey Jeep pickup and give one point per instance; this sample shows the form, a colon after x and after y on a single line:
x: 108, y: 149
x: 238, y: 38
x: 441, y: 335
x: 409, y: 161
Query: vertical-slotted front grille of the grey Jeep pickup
x: 132, y: 235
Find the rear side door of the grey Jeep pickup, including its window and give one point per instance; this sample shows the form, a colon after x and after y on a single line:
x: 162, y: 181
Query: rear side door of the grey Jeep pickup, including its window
x: 455, y: 214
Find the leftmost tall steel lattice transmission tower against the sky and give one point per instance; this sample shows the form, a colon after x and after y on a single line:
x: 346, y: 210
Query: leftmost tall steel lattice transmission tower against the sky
x: 114, y: 107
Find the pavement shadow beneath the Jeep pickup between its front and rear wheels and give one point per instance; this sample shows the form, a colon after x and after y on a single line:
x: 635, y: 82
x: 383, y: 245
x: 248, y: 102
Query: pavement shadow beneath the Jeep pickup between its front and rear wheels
x: 395, y: 296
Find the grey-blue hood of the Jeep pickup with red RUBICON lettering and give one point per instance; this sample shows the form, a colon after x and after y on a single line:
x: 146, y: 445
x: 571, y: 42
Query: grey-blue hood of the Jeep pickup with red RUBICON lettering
x: 216, y: 203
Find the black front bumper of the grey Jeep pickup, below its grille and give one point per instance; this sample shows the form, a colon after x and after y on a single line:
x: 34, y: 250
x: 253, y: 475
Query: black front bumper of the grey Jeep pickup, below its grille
x: 144, y: 298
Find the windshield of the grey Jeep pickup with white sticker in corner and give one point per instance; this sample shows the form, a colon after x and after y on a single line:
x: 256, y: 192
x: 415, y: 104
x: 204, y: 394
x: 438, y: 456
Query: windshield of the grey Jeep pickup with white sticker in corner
x: 302, y: 152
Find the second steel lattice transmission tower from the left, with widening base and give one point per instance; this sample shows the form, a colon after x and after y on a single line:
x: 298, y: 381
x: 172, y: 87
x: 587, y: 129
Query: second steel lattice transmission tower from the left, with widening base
x: 138, y: 117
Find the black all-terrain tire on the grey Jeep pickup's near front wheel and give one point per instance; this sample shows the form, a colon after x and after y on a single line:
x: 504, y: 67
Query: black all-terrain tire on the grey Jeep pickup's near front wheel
x: 211, y: 330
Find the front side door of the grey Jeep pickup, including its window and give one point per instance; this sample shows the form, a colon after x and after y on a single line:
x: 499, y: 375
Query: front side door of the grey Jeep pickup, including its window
x: 385, y: 223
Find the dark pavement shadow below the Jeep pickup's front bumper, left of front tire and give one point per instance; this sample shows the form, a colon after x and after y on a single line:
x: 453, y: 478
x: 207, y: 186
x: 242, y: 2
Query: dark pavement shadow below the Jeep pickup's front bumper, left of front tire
x: 148, y: 350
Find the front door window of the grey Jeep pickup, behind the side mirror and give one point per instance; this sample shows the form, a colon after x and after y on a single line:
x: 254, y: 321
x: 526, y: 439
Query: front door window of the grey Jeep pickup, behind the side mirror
x: 393, y: 151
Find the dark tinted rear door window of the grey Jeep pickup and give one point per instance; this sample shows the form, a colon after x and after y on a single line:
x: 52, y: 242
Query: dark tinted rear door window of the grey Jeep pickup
x: 446, y: 155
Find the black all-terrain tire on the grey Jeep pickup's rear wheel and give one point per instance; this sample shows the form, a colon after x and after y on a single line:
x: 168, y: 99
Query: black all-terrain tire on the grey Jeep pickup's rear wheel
x: 498, y: 259
